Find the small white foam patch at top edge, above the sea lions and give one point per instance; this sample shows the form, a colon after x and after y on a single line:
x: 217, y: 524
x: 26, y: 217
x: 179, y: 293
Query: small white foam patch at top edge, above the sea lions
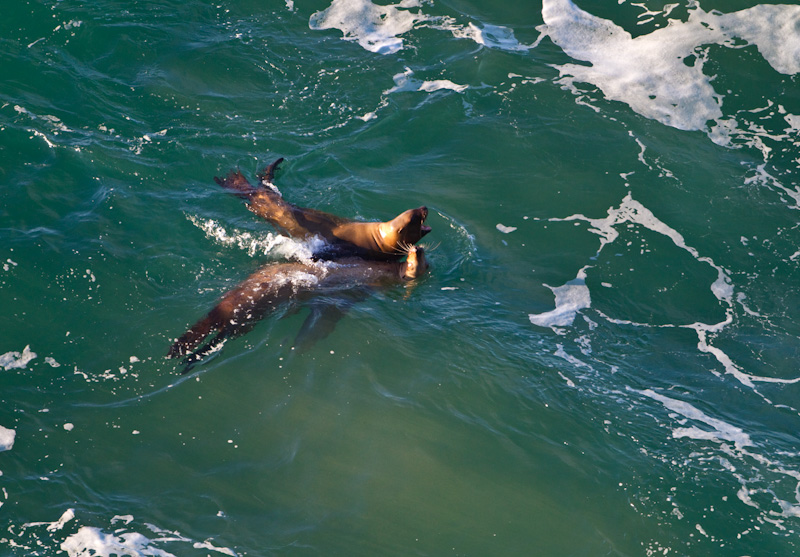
x: 376, y: 28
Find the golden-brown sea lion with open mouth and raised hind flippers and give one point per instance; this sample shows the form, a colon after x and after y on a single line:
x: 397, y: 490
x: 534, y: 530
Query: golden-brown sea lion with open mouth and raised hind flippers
x: 345, y: 237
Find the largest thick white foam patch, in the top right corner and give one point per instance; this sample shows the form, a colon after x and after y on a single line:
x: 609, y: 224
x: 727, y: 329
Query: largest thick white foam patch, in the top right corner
x: 660, y: 74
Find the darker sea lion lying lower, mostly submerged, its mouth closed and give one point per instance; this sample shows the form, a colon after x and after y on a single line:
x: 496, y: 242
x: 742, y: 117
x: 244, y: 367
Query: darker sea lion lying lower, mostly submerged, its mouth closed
x: 275, y: 283
